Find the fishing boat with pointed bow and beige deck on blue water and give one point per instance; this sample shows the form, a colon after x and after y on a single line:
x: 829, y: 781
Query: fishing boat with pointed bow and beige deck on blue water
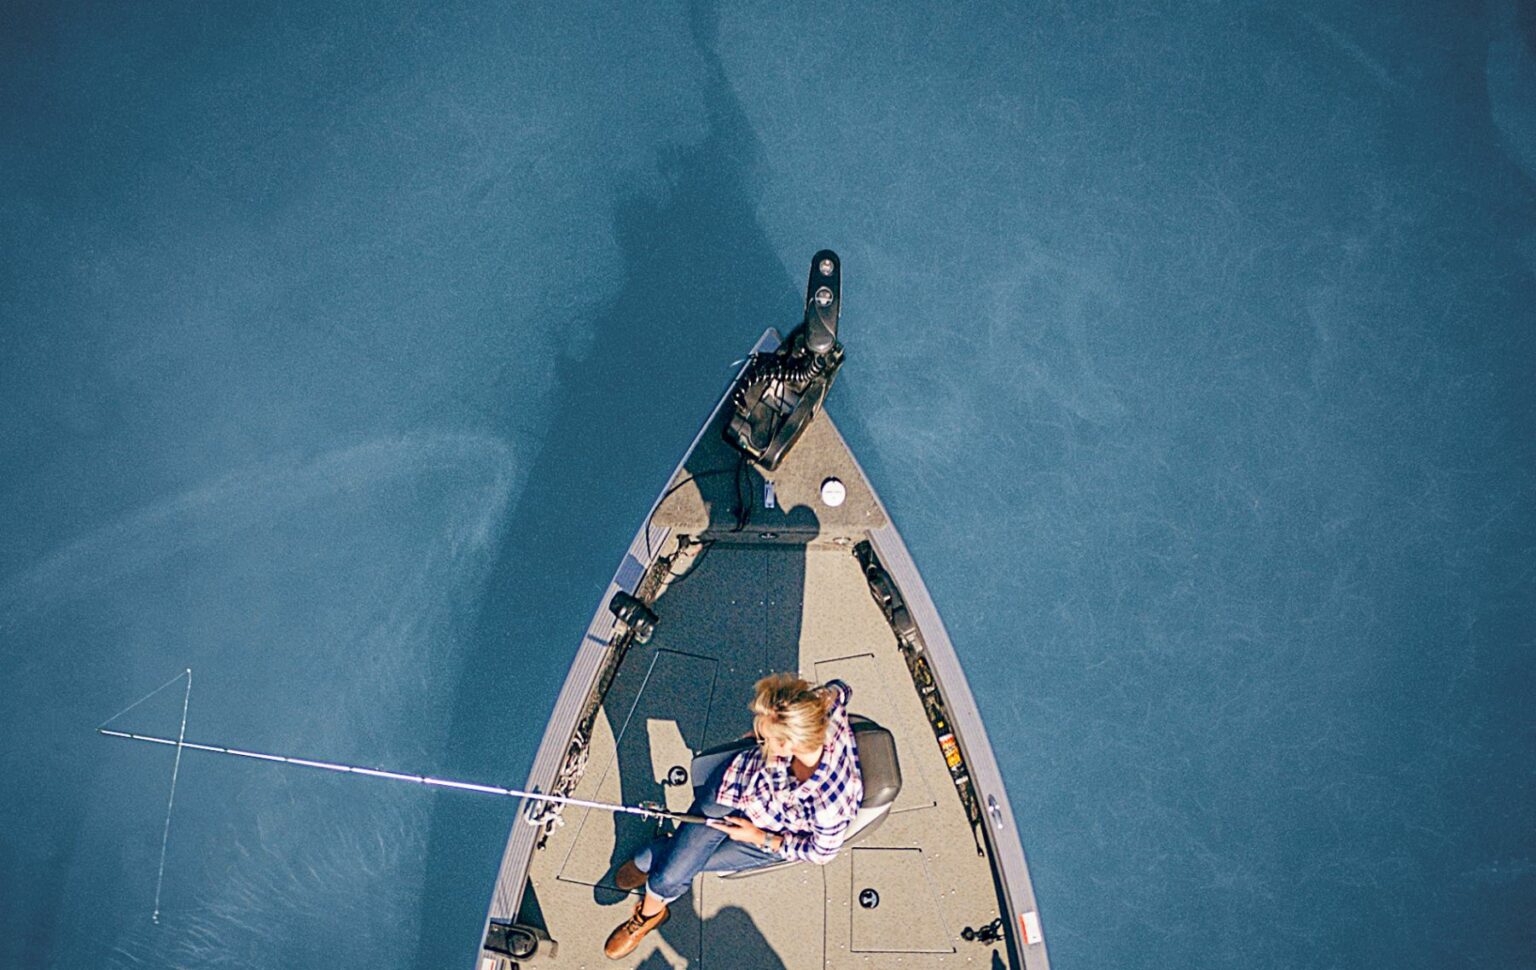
x: 769, y: 550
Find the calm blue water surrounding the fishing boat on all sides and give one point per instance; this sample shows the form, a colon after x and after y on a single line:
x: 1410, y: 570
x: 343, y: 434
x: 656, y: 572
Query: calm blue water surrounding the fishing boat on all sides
x: 1191, y: 346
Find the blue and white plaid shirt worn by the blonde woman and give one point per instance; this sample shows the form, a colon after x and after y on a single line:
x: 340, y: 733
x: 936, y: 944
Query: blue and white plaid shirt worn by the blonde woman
x: 813, y: 816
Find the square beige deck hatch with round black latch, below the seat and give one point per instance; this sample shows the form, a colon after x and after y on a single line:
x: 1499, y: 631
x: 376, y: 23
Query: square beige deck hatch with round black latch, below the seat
x: 893, y: 905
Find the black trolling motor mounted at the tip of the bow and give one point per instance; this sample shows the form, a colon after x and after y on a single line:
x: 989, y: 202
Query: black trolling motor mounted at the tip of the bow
x: 781, y: 392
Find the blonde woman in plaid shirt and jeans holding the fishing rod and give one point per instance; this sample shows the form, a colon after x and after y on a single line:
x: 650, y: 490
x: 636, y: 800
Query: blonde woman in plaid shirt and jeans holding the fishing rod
x: 792, y: 797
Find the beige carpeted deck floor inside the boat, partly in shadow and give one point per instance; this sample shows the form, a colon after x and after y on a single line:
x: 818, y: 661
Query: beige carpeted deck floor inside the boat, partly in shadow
x: 784, y: 595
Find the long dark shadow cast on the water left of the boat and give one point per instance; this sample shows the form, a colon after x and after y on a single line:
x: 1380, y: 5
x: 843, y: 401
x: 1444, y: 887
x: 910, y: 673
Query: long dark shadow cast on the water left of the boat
x: 638, y: 388
